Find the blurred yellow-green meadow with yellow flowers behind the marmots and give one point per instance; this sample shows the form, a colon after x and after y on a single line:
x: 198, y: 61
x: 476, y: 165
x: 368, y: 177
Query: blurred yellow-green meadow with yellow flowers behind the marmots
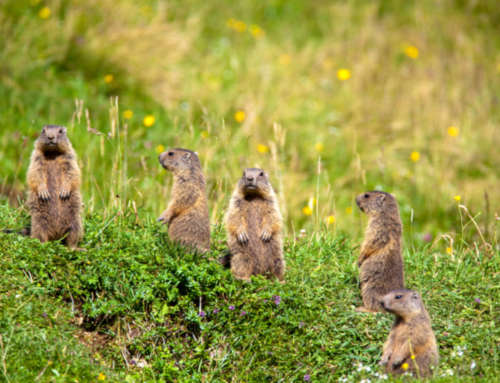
x: 332, y: 98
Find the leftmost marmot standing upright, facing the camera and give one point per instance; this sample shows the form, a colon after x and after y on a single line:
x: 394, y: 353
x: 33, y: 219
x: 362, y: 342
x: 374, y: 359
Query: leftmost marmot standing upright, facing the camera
x: 54, y: 188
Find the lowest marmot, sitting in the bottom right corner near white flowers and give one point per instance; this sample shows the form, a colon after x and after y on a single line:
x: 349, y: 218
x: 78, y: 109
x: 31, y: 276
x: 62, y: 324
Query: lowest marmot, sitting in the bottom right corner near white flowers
x: 411, y: 345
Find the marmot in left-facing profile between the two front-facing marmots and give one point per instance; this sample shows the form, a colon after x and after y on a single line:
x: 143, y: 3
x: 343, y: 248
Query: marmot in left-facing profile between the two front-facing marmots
x: 187, y: 212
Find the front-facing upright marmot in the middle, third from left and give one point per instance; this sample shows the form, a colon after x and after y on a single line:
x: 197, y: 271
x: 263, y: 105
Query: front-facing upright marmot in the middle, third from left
x: 254, y: 224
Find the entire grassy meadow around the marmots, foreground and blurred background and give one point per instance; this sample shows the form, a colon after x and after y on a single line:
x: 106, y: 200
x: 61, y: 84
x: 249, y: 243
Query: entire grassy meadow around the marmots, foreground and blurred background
x: 332, y: 98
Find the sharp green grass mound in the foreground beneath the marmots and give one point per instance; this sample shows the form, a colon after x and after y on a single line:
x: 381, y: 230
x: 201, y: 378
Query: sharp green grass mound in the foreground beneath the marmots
x: 133, y: 299
